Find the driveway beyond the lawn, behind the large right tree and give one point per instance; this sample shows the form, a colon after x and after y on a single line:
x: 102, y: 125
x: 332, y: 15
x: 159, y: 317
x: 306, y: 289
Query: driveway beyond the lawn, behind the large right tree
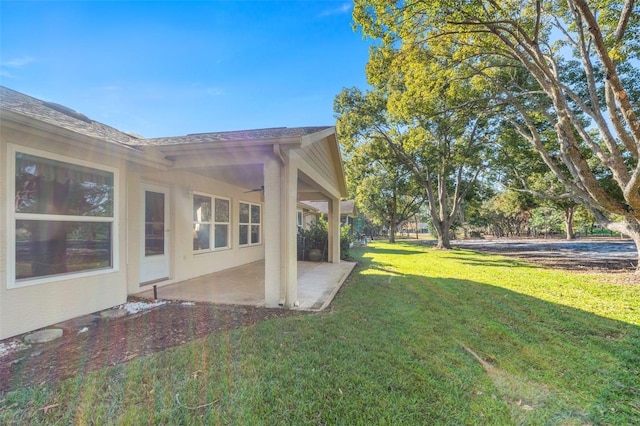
x: 588, y: 254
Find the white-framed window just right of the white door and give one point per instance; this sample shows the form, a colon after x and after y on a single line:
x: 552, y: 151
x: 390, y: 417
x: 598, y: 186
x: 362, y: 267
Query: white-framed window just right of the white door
x: 211, y: 216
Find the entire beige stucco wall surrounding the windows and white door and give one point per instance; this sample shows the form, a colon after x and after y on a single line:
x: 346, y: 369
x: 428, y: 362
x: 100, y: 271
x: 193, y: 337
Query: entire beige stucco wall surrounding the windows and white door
x: 29, y: 307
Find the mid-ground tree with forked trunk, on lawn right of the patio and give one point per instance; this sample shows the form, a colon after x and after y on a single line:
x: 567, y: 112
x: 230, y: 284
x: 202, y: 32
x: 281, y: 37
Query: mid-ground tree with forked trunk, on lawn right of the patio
x: 444, y: 154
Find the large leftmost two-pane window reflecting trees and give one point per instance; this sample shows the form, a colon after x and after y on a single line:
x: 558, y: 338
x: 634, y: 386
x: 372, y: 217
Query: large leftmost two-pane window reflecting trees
x: 63, y: 217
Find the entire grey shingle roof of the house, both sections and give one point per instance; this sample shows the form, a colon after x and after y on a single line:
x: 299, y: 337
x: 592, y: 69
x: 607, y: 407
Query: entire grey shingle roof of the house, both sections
x: 69, y: 119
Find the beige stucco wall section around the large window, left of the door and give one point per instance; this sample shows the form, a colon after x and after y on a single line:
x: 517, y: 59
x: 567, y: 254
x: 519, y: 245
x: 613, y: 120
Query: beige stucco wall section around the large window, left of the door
x: 29, y: 307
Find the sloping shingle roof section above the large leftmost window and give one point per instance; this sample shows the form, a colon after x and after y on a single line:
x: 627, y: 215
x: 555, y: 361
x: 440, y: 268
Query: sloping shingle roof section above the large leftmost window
x: 61, y: 116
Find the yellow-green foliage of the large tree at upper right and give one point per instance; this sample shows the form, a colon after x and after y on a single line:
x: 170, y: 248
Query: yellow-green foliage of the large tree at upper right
x: 554, y: 79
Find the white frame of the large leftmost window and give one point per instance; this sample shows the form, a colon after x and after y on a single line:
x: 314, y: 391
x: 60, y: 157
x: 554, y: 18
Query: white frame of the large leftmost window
x: 12, y: 217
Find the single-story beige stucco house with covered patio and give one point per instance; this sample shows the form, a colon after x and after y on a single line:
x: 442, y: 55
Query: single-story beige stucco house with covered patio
x: 91, y: 214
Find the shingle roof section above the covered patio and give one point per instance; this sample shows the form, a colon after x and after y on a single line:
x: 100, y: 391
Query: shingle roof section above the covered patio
x: 238, y: 135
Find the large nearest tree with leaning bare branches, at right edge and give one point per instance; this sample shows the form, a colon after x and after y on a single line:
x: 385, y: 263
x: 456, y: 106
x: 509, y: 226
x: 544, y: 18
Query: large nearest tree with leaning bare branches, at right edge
x: 561, y: 73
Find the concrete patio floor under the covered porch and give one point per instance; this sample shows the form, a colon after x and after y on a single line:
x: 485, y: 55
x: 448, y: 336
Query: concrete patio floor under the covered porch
x: 318, y: 283
